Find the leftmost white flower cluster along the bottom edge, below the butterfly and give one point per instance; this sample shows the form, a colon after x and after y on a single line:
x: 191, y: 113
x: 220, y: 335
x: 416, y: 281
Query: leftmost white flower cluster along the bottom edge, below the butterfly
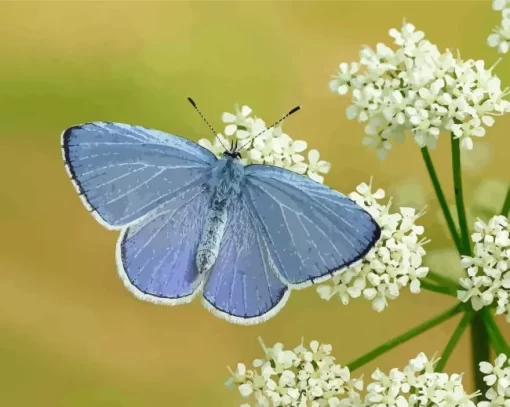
x: 302, y: 377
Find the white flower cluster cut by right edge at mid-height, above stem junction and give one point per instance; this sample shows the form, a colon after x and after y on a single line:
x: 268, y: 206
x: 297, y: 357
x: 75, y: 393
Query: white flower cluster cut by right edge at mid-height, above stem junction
x: 488, y: 271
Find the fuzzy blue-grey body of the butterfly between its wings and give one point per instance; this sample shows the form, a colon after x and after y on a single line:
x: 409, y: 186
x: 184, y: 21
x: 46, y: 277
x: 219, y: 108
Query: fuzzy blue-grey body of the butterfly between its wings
x: 226, y: 181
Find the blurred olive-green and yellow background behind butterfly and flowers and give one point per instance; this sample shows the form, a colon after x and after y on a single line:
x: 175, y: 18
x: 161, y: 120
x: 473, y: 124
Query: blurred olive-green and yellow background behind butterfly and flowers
x: 70, y: 333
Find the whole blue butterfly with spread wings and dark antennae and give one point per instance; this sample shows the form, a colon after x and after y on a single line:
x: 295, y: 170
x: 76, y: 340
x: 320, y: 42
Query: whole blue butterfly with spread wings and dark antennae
x: 191, y: 223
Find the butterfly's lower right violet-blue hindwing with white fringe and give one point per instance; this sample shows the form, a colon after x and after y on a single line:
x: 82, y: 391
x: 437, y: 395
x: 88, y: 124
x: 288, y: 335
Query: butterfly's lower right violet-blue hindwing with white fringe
x: 244, y: 286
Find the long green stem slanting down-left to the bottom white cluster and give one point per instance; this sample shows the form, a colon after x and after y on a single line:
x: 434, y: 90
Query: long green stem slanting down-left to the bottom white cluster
x: 385, y: 347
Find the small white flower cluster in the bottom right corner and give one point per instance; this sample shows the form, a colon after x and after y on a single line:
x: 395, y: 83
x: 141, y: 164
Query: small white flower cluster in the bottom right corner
x: 497, y: 377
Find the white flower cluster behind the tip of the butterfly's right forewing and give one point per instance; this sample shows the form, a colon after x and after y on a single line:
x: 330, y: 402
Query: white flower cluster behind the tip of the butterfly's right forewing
x: 393, y: 263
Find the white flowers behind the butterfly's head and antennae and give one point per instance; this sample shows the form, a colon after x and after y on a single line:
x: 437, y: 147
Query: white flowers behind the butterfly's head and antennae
x: 266, y: 146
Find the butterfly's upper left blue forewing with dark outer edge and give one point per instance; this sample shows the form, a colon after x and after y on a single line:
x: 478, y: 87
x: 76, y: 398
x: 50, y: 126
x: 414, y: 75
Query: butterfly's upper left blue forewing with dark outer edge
x: 122, y: 172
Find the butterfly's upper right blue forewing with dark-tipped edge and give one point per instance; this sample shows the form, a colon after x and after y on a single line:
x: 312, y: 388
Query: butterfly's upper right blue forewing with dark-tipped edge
x: 312, y: 230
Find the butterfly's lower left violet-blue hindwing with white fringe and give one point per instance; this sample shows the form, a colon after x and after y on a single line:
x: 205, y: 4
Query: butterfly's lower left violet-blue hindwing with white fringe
x: 156, y: 257
